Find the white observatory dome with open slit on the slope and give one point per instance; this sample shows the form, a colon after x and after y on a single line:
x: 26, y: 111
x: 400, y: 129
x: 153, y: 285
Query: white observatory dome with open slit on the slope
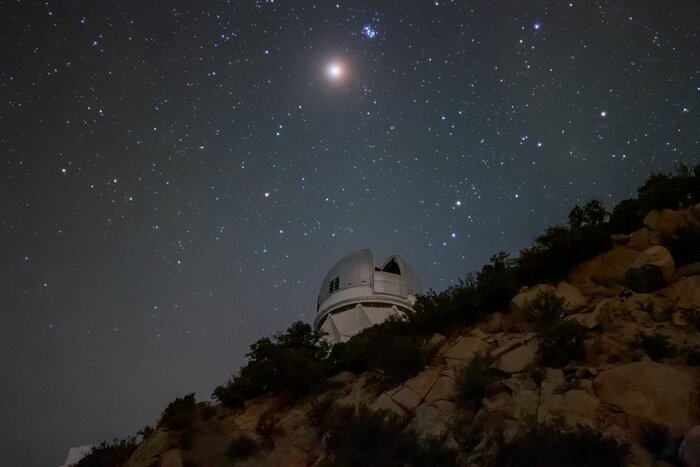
x: 356, y: 294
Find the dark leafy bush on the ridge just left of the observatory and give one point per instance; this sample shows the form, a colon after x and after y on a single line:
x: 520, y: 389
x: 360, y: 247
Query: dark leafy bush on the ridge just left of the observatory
x: 294, y: 361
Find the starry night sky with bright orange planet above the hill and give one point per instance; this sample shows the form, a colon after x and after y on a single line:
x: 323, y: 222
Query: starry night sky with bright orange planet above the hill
x: 177, y: 177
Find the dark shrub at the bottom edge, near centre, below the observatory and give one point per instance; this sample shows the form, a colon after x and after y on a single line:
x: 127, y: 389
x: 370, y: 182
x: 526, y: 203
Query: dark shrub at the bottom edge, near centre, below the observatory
x: 367, y: 438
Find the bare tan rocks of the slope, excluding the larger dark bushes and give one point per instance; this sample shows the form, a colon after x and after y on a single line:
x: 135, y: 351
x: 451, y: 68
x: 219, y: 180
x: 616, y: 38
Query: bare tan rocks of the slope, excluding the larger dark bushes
x: 616, y: 389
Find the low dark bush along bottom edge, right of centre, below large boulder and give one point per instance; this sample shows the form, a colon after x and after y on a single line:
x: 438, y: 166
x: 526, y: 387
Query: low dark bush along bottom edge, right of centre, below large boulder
x: 556, y: 446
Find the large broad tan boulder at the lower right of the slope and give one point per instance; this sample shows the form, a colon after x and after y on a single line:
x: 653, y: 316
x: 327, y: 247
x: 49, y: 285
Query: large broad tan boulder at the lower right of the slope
x: 652, y: 392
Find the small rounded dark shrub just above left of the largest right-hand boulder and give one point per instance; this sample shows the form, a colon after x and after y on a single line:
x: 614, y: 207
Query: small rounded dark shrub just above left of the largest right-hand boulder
x: 562, y: 344
